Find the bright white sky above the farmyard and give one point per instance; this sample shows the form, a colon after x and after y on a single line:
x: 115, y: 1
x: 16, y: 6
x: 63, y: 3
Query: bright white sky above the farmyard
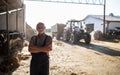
x: 51, y: 13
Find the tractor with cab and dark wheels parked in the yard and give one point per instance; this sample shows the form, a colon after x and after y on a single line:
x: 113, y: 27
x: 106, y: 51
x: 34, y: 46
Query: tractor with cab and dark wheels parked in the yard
x: 73, y: 32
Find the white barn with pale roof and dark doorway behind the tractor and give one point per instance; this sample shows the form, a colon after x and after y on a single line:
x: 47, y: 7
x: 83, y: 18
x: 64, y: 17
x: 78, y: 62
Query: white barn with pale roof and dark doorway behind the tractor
x: 95, y: 22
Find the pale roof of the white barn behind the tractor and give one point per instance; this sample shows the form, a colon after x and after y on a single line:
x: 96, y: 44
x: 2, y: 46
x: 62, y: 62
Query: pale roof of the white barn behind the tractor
x: 107, y: 17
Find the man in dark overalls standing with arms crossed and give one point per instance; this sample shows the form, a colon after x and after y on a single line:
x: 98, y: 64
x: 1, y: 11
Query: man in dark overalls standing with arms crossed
x: 39, y: 48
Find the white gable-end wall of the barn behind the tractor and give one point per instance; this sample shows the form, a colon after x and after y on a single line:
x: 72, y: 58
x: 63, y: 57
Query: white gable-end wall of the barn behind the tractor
x: 98, y: 24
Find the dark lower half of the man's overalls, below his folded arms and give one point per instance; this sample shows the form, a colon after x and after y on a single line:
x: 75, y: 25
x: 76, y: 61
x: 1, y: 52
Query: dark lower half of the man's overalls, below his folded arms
x: 39, y: 65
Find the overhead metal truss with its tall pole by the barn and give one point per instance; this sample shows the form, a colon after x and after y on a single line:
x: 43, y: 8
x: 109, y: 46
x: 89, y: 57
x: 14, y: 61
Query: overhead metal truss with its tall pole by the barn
x: 88, y: 2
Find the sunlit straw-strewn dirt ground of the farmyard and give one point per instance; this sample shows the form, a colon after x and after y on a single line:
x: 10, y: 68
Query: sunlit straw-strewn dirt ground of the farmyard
x: 98, y: 58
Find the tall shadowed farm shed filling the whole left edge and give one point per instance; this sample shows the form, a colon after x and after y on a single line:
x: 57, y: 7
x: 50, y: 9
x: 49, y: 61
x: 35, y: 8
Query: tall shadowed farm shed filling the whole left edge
x: 12, y: 34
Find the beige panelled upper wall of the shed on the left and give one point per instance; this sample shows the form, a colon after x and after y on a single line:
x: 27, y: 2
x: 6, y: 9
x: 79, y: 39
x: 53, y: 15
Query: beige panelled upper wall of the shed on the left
x: 12, y: 21
